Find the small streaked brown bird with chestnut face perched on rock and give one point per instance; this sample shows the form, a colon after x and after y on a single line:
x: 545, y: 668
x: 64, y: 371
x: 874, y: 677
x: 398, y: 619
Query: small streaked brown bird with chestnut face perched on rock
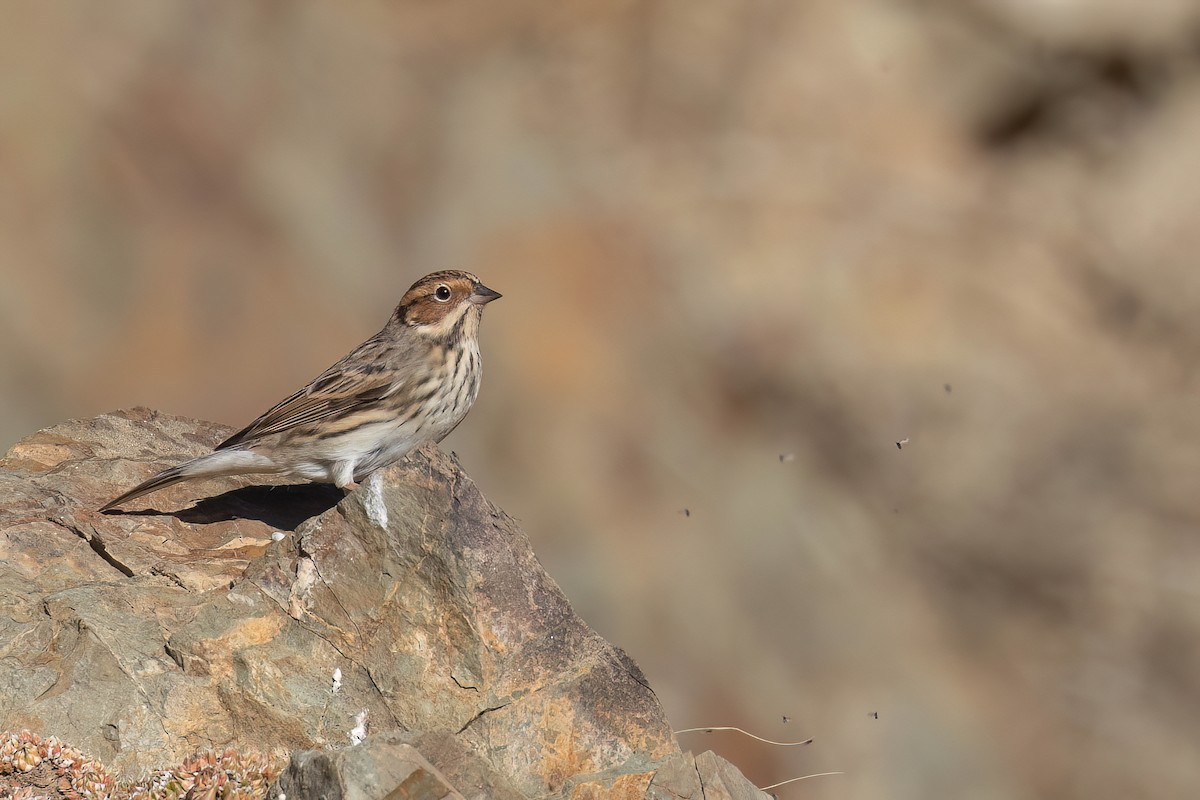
x: 411, y: 383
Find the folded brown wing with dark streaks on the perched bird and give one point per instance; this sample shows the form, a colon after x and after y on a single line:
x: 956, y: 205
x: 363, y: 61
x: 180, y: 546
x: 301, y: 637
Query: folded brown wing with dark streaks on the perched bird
x: 356, y: 383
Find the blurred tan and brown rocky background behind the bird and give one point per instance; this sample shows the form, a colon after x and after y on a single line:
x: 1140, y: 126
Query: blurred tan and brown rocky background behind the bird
x: 747, y: 249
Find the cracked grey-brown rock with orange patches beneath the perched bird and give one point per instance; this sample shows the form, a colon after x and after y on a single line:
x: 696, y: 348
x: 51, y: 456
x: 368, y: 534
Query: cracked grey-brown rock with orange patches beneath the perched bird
x: 181, y: 624
